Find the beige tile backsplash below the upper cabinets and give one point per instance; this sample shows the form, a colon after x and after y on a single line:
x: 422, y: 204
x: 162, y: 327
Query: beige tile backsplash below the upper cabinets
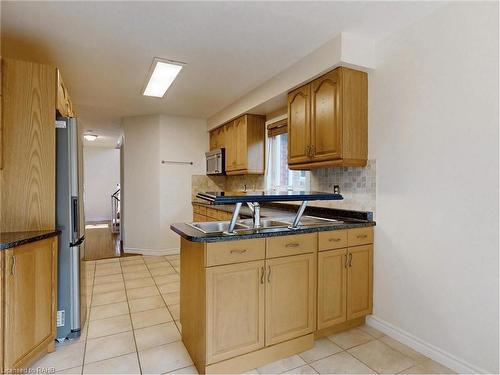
x: 357, y: 185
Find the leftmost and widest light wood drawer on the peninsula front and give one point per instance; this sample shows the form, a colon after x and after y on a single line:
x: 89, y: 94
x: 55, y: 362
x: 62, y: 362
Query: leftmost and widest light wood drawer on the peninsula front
x: 235, y: 251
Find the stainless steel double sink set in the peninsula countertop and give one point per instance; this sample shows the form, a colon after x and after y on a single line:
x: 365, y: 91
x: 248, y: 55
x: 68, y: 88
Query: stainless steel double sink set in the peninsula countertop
x: 246, y: 225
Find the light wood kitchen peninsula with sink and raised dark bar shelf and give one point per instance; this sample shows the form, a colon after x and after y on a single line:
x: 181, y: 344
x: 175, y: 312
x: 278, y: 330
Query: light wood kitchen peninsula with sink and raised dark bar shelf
x: 256, y: 290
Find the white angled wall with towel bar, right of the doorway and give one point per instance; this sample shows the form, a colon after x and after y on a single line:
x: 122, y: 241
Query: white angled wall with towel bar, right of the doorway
x: 156, y: 194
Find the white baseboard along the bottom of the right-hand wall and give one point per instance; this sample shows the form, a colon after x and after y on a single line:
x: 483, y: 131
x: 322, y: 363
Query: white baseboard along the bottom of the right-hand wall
x: 421, y: 346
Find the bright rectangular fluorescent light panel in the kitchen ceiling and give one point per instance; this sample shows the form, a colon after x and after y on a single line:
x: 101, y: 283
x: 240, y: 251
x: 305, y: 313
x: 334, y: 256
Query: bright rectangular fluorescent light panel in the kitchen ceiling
x: 161, y: 77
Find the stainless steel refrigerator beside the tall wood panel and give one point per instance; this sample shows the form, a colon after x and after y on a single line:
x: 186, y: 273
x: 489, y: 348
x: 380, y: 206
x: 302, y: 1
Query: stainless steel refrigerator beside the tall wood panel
x: 71, y: 293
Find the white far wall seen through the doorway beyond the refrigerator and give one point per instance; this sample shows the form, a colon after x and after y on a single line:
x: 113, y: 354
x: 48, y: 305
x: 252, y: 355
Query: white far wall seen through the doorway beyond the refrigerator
x: 102, y: 174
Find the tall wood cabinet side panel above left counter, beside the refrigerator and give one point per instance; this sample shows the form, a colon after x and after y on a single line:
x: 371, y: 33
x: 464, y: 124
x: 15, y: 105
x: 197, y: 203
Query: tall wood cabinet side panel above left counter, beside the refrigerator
x: 28, y: 146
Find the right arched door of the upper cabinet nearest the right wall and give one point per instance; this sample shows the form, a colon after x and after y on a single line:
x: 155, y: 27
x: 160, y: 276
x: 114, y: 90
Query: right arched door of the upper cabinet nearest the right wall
x: 326, y: 117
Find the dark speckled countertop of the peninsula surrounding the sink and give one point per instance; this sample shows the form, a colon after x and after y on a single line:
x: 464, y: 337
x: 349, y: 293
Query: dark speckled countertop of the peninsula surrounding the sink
x: 347, y: 220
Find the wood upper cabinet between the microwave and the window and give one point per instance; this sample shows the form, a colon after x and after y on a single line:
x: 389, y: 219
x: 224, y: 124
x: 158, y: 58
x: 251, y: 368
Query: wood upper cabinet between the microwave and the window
x: 244, y: 143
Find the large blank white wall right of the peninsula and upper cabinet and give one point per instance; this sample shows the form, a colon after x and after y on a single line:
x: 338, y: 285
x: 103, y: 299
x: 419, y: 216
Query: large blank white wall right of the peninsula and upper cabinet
x: 433, y: 122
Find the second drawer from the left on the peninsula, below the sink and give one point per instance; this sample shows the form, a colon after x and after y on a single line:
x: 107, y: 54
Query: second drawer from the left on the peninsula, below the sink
x: 291, y: 245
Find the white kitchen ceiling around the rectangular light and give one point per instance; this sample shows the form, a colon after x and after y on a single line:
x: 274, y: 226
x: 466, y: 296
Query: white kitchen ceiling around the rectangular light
x: 104, y: 49
